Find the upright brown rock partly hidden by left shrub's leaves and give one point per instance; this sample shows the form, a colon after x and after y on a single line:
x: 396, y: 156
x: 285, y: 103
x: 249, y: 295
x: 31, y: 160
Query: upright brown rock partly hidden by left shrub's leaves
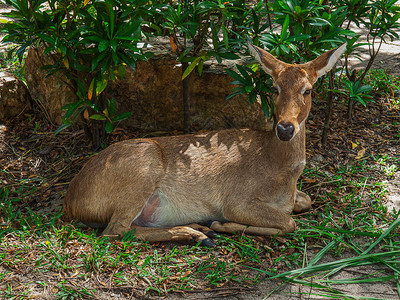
x: 52, y: 92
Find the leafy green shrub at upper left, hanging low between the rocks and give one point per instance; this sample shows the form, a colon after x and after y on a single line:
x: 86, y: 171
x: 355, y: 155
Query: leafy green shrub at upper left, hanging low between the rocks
x: 91, y: 42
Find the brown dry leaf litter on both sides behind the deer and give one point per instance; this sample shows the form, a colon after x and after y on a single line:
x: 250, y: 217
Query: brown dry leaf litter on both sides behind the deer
x: 40, y: 163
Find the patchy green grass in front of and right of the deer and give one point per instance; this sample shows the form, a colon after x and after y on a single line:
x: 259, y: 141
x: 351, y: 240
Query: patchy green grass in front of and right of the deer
x: 45, y: 245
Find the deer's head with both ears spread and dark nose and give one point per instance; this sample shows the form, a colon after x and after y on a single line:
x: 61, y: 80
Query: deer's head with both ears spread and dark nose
x: 293, y: 85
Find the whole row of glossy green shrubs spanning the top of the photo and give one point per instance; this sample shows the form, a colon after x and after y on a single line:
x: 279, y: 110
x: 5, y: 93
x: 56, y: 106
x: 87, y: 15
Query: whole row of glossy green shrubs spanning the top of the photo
x: 94, y: 41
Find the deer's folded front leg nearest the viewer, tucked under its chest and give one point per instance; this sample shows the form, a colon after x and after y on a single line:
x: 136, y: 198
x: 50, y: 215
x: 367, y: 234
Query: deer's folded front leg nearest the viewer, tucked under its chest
x: 255, y: 217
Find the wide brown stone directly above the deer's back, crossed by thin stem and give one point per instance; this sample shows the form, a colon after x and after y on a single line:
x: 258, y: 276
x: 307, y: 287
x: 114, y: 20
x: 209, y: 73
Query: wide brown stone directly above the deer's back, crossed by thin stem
x: 154, y: 96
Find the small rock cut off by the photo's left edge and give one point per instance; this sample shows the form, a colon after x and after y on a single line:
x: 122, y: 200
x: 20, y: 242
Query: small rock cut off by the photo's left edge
x: 14, y: 96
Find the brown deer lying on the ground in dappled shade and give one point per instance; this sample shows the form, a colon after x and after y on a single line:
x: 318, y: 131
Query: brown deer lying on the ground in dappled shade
x: 236, y: 180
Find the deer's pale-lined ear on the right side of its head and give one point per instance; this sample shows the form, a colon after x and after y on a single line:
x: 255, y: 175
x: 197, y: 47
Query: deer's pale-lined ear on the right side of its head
x: 325, y: 62
